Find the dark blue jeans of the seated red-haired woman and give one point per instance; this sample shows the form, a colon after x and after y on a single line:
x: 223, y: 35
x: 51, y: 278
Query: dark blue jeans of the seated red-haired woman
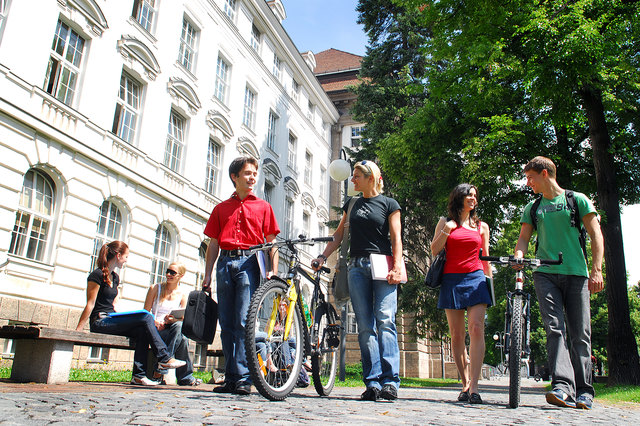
x: 143, y: 329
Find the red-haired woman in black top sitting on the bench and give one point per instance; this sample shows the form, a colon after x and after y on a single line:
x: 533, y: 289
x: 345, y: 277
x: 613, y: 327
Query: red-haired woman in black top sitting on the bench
x: 102, y: 292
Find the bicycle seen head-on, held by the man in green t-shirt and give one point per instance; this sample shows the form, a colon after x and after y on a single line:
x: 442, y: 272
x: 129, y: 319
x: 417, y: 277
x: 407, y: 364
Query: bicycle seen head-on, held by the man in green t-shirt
x: 517, y: 319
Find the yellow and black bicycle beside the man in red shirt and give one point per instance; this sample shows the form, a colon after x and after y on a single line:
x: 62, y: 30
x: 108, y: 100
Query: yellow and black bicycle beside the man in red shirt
x: 281, y: 339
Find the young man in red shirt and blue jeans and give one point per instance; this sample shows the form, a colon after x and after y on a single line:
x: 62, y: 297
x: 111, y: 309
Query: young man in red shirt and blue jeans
x: 236, y: 224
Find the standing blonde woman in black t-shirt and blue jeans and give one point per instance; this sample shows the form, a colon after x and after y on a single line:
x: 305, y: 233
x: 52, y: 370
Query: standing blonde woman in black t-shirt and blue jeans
x: 374, y: 225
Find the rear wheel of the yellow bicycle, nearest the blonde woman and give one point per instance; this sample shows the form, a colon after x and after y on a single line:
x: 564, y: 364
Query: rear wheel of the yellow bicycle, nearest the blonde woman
x: 324, y: 351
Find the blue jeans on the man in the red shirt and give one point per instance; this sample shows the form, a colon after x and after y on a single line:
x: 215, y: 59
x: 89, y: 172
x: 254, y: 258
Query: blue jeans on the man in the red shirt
x: 237, y: 279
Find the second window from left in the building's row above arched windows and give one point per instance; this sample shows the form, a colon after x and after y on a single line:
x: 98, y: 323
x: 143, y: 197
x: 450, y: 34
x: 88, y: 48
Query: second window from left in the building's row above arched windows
x: 125, y: 119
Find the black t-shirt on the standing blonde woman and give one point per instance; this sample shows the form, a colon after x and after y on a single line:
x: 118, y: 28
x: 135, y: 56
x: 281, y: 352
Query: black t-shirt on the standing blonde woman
x: 369, y: 225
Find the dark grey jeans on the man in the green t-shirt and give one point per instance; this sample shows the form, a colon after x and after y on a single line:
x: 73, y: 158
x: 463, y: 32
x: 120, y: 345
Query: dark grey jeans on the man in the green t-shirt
x: 565, y: 309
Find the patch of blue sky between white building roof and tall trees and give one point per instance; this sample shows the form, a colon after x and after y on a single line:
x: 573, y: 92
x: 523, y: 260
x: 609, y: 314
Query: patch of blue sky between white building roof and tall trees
x: 319, y: 25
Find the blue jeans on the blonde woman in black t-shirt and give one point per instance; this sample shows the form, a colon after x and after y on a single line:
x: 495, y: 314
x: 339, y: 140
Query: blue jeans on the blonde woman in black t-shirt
x: 375, y: 304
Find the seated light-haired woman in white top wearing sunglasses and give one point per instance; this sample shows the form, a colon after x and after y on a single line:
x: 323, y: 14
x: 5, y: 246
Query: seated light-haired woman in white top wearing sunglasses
x: 161, y: 299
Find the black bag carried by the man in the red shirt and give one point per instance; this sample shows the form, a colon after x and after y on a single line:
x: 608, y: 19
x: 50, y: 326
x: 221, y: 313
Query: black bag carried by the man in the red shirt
x: 200, y: 317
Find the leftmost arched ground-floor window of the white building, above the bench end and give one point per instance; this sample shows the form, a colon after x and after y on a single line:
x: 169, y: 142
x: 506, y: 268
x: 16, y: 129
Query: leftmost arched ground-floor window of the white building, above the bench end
x: 32, y: 229
